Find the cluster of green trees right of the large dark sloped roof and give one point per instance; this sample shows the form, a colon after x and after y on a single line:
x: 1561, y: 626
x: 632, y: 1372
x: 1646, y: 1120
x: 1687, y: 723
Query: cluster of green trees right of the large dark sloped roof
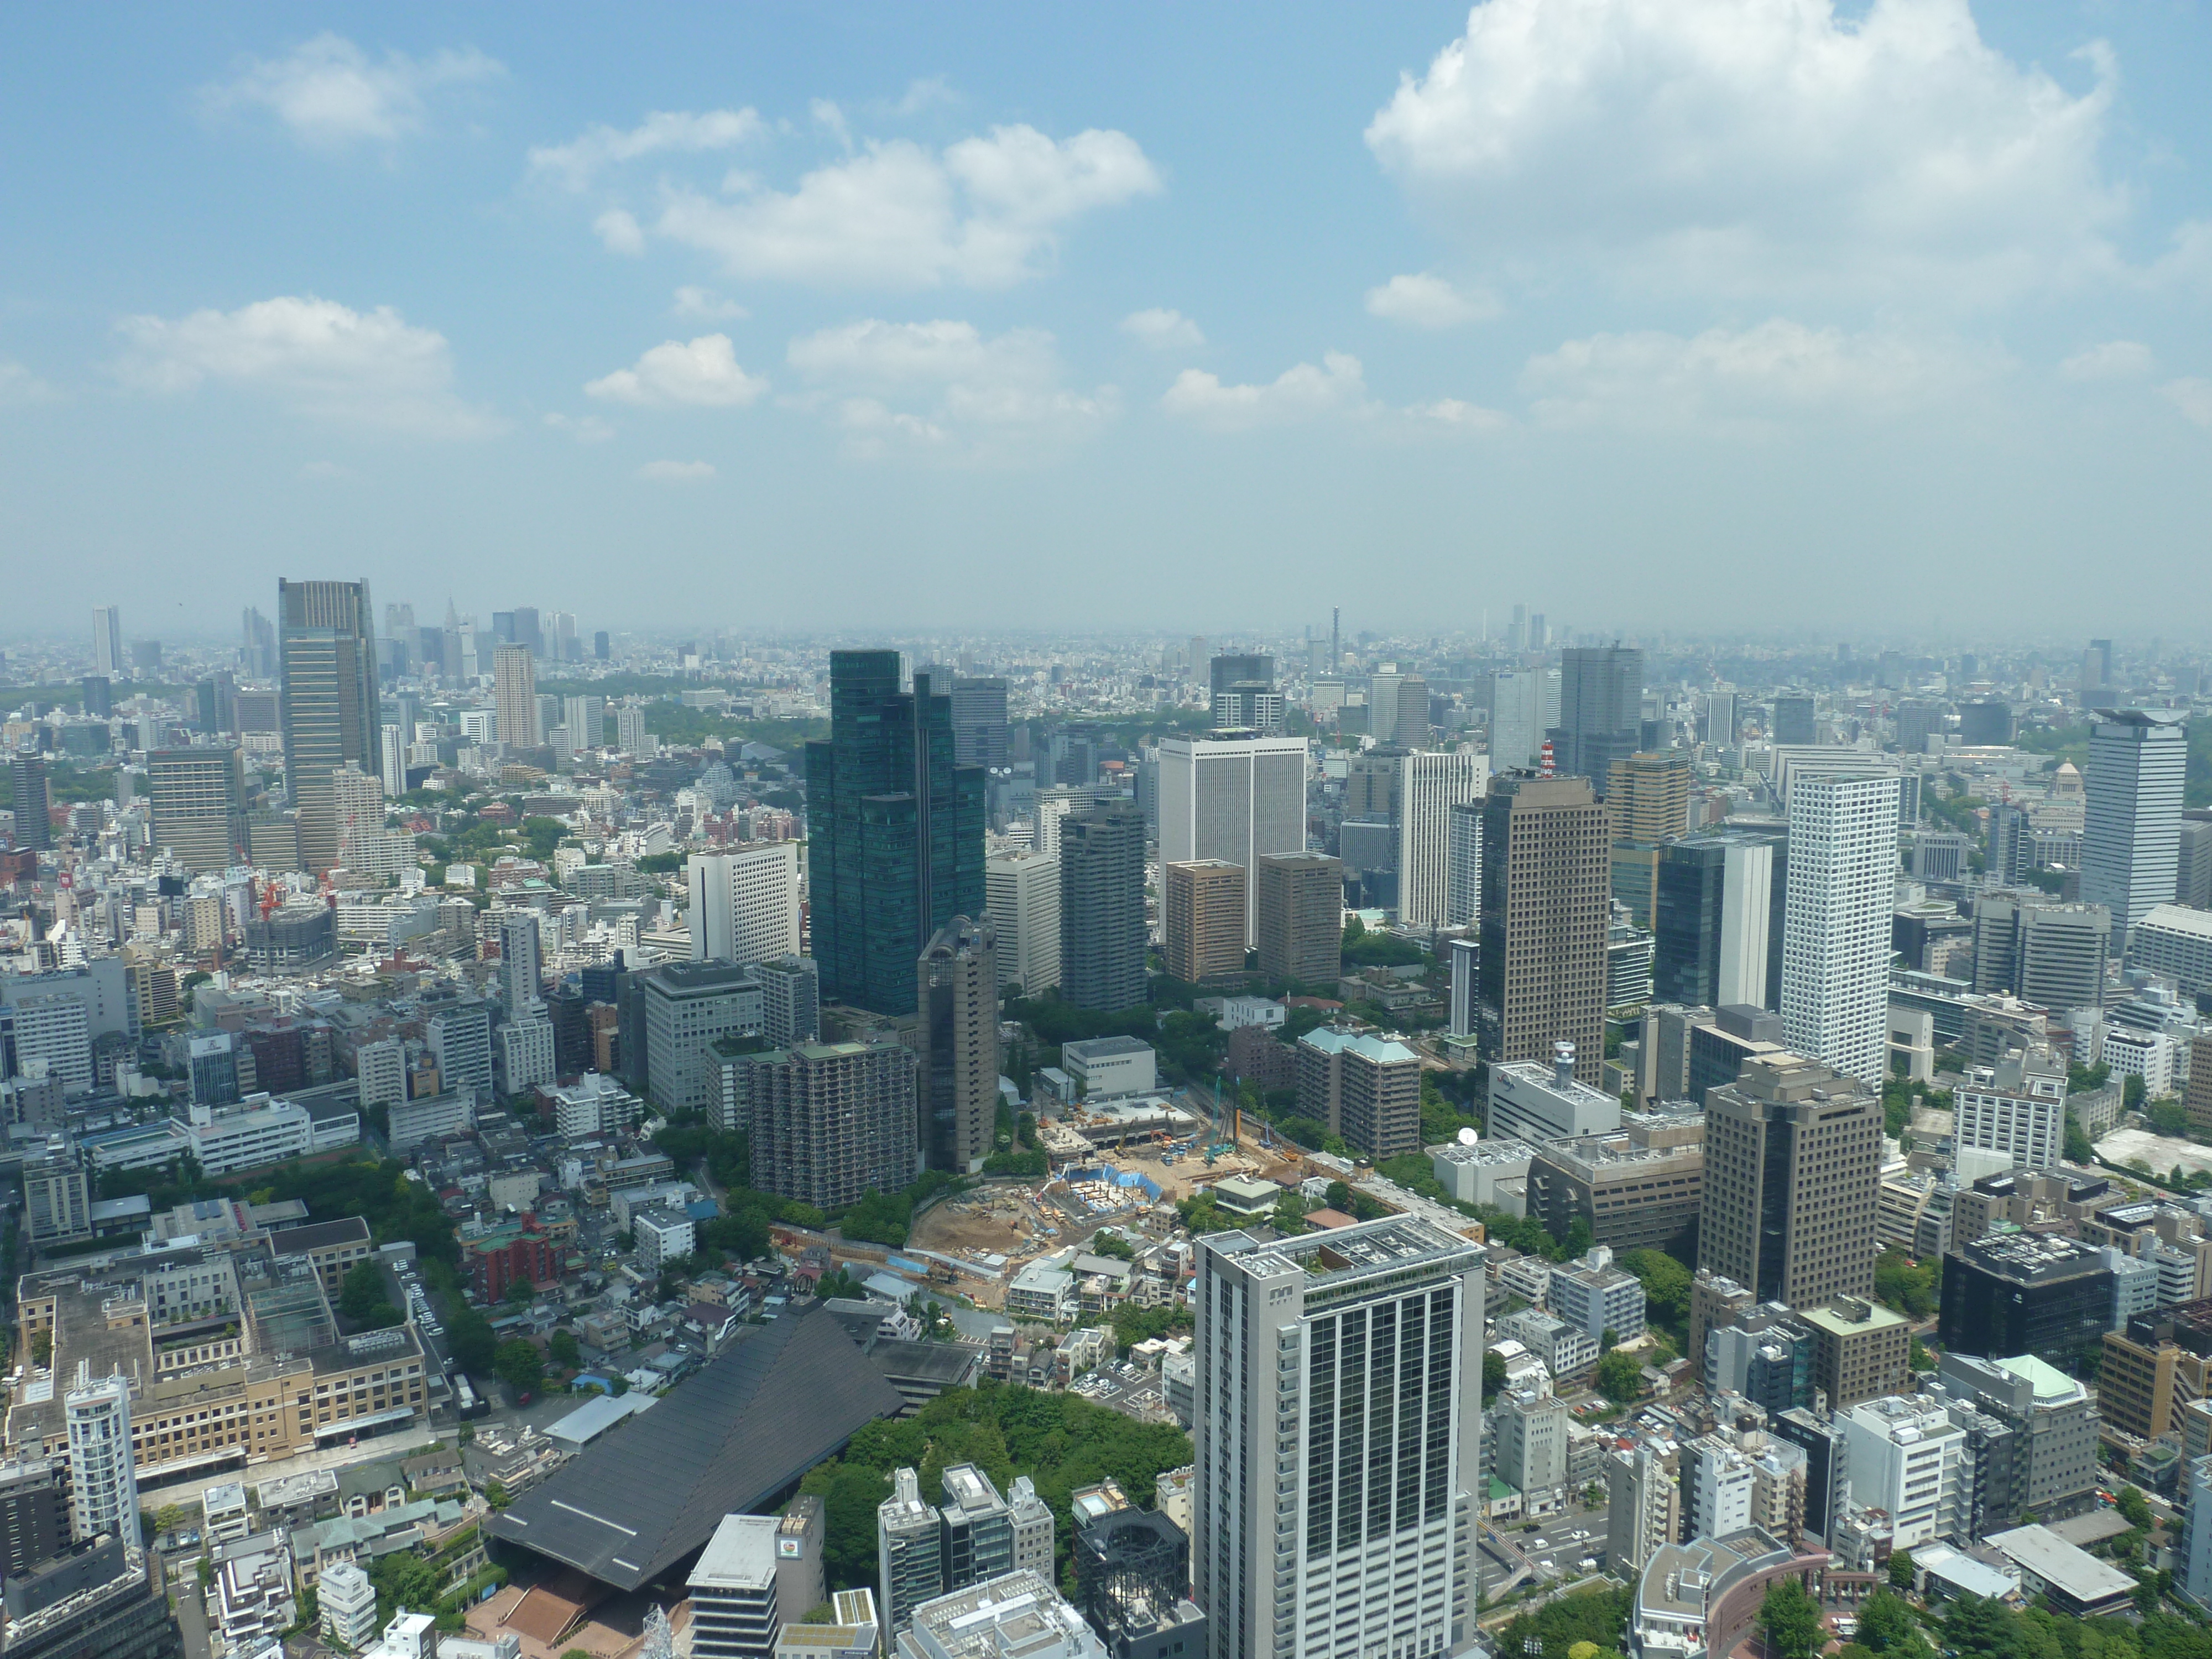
x: 1061, y: 1441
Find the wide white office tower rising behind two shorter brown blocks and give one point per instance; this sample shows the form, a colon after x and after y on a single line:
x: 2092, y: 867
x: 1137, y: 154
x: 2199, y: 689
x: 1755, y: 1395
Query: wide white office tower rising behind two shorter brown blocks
x: 1231, y: 797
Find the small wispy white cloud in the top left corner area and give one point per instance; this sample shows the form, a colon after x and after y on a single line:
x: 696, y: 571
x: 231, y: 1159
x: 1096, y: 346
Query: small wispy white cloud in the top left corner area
x: 333, y: 94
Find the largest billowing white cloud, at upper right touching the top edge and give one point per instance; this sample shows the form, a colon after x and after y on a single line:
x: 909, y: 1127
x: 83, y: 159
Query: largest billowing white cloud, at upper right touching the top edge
x: 1760, y: 147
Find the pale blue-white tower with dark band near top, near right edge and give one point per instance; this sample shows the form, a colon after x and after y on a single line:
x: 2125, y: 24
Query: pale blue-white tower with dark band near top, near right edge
x: 2131, y: 833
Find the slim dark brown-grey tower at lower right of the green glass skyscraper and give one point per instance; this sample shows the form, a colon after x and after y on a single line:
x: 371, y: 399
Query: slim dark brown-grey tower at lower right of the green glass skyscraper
x: 957, y: 1039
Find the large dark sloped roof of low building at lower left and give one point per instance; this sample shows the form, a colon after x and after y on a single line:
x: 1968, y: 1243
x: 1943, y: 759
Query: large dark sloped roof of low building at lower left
x: 724, y: 1443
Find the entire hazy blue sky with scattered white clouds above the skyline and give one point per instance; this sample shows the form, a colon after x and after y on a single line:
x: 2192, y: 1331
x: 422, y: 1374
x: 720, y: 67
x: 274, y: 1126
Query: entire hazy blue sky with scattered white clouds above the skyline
x: 1649, y: 313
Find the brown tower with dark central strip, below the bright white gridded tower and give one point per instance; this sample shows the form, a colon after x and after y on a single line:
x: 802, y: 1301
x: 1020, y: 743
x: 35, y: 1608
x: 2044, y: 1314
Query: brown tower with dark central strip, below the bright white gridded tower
x: 1793, y: 1182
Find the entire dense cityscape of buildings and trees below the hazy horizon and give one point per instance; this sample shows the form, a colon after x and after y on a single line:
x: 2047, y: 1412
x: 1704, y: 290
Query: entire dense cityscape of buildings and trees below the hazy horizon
x: 1665, y: 1138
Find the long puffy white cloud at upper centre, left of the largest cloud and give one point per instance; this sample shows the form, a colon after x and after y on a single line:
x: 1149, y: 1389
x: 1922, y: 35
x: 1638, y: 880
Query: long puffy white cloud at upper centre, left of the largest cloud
x: 983, y: 213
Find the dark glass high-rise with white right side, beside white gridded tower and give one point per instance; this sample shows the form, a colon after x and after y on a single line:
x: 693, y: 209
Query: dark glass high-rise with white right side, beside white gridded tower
x: 1713, y: 921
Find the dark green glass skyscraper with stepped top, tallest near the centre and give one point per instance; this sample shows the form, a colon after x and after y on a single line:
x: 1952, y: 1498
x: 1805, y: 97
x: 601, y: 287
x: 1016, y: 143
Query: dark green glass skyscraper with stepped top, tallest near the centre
x: 895, y: 828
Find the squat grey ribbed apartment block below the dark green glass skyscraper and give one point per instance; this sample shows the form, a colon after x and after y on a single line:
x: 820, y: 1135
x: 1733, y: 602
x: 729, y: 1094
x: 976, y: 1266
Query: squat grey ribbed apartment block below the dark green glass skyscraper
x: 826, y: 1123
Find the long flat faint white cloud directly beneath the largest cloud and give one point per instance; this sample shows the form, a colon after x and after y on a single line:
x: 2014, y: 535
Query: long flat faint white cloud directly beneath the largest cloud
x: 1738, y: 379
